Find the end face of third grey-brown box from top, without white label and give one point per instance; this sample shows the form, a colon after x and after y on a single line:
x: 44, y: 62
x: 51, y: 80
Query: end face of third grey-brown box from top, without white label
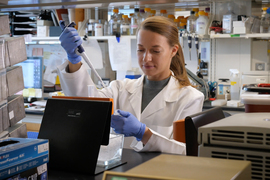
x: 15, y: 81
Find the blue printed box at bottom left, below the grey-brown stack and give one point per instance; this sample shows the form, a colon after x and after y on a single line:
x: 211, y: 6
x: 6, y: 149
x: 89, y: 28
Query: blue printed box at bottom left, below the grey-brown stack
x: 20, y: 154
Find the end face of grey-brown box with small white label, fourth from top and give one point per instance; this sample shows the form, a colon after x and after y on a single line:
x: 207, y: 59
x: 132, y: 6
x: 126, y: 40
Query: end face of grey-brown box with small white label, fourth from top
x: 16, y: 109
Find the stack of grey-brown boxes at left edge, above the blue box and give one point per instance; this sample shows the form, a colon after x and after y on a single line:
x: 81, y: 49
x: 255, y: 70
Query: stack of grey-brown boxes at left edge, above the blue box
x: 12, y: 51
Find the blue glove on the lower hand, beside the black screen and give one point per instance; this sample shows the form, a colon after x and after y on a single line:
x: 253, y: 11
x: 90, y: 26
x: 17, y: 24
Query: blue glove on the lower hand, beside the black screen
x: 128, y: 125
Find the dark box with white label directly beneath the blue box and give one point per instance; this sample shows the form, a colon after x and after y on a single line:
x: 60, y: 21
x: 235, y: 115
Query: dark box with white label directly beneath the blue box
x: 37, y: 173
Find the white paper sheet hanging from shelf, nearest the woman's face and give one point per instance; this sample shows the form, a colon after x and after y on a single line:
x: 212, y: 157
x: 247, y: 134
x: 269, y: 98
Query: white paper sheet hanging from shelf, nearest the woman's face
x: 120, y: 54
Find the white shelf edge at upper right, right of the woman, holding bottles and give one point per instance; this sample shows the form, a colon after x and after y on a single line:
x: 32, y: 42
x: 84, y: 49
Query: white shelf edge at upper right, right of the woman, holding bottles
x: 257, y: 35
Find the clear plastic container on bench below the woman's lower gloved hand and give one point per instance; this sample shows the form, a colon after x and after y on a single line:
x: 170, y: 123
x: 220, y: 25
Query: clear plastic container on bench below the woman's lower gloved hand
x: 112, y: 153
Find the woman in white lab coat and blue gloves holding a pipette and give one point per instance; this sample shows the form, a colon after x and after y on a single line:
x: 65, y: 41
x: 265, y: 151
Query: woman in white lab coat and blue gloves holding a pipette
x: 149, y: 105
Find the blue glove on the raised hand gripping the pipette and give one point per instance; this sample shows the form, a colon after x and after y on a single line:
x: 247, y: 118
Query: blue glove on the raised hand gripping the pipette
x: 70, y: 40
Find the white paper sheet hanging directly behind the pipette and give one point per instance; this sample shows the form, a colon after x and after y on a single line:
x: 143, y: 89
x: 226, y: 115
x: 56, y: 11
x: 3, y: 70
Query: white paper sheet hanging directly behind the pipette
x: 93, y: 51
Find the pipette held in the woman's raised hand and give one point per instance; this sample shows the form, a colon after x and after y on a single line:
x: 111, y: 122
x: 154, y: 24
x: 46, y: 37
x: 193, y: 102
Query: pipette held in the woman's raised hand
x: 80, y: 51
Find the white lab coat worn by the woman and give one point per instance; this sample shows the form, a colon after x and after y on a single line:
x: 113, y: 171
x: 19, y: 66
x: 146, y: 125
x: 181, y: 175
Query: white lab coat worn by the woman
x: 169, y: 105
